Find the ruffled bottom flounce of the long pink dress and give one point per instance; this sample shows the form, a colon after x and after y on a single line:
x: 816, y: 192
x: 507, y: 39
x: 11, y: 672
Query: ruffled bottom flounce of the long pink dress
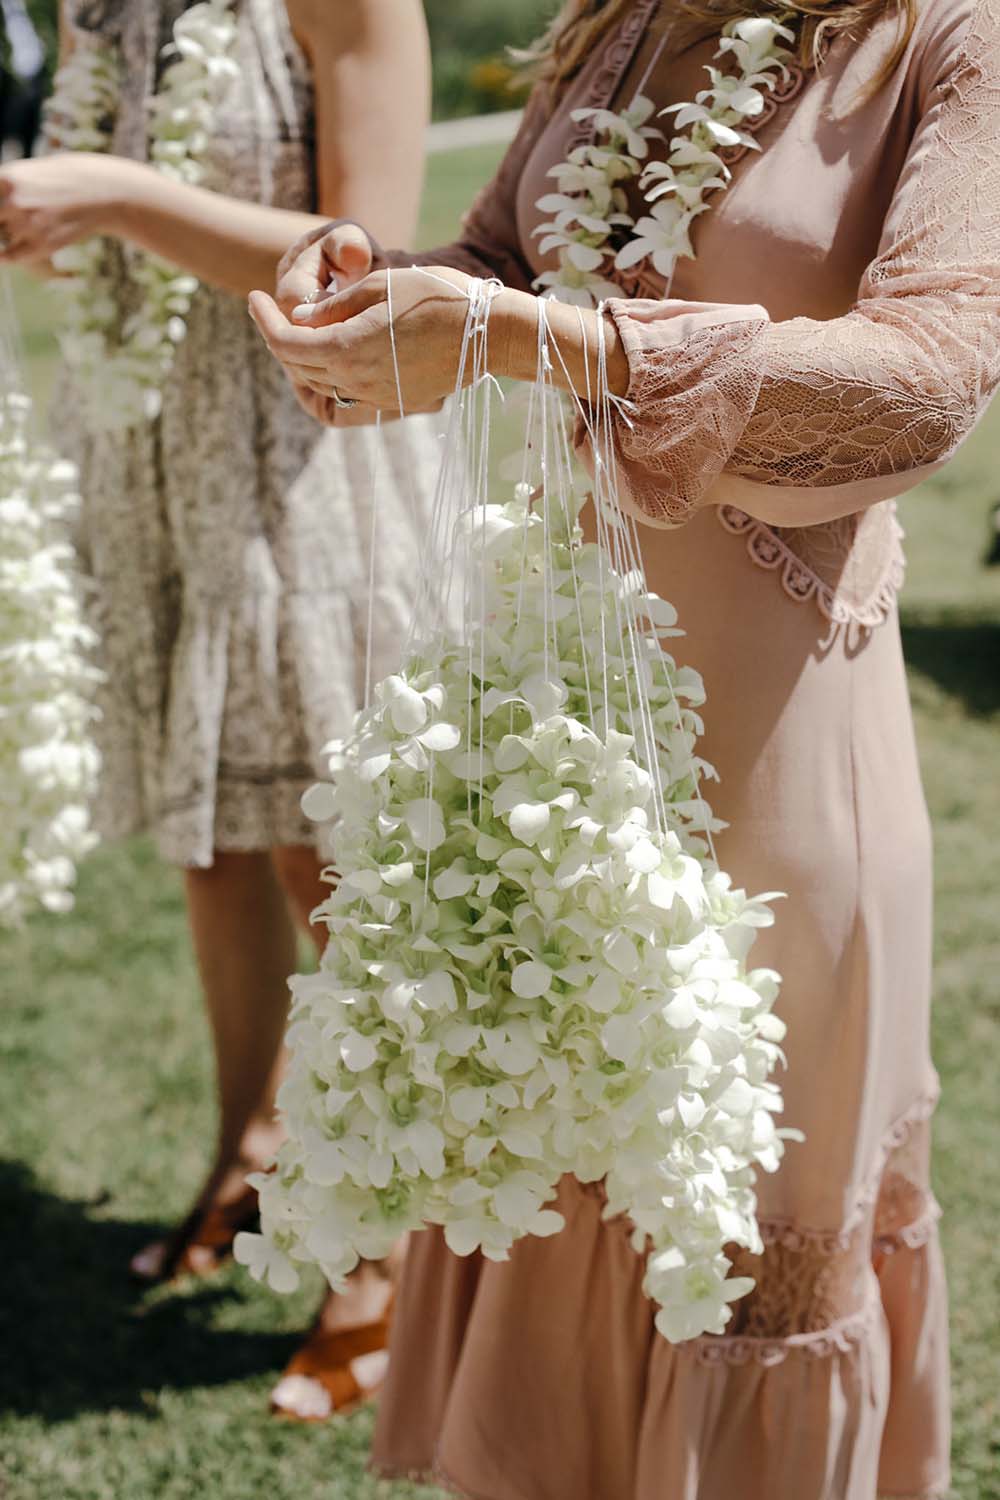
x: 481, y: 1351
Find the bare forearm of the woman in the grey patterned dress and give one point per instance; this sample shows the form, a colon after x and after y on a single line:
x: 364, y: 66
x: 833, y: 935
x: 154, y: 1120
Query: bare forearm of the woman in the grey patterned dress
x: 226, y: 242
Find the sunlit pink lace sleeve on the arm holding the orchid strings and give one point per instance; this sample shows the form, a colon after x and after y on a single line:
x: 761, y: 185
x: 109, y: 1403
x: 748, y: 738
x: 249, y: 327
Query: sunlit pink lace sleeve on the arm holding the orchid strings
x: 803, y: 422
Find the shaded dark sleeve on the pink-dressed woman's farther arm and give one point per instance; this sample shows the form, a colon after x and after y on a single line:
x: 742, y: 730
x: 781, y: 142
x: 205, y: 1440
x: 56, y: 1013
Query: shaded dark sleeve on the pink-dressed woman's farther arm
x: 490, y: 244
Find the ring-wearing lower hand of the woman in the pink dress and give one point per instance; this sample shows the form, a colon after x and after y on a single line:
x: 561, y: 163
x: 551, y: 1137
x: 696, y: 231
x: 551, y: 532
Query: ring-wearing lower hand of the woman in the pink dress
x: 343, y: 347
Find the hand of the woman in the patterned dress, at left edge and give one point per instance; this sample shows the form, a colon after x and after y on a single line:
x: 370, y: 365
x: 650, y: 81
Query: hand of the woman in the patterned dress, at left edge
x: 53, y: 202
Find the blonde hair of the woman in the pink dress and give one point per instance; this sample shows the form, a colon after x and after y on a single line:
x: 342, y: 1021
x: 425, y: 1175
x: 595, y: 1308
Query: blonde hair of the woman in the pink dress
x: 582, y: 26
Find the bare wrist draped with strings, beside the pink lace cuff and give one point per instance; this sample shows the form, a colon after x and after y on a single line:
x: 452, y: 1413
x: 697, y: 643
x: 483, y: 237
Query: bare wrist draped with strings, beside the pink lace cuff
x: 576, y: 334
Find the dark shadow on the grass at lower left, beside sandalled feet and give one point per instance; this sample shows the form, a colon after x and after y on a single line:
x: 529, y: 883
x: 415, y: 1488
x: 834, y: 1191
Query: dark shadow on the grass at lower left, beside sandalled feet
x: 80, y: 1337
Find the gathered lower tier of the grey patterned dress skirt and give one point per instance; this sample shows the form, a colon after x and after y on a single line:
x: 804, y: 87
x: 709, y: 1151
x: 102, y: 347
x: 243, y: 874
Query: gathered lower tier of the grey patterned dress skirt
x: 217, y: 749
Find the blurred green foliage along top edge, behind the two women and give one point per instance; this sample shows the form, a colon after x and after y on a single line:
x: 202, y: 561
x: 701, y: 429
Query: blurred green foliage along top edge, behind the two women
x: 473, y: 71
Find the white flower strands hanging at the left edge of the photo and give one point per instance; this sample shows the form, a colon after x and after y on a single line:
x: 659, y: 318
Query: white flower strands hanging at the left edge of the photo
x: 49, y: 763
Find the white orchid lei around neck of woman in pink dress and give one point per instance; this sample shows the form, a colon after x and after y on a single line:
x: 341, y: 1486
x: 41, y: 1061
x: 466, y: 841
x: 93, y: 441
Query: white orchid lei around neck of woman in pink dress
x: 593, y: 229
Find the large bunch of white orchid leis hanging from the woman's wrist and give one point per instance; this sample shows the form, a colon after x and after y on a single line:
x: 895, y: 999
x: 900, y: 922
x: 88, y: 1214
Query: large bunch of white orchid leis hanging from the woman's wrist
x: 534, y: 968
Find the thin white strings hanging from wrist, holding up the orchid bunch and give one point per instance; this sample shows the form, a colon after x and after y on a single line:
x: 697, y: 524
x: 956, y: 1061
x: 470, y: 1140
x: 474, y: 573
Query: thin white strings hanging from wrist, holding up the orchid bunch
x: 548, y: 458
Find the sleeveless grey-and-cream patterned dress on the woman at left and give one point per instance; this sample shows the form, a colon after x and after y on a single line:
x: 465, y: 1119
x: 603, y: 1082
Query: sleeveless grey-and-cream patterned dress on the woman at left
x: 229, y: 544
